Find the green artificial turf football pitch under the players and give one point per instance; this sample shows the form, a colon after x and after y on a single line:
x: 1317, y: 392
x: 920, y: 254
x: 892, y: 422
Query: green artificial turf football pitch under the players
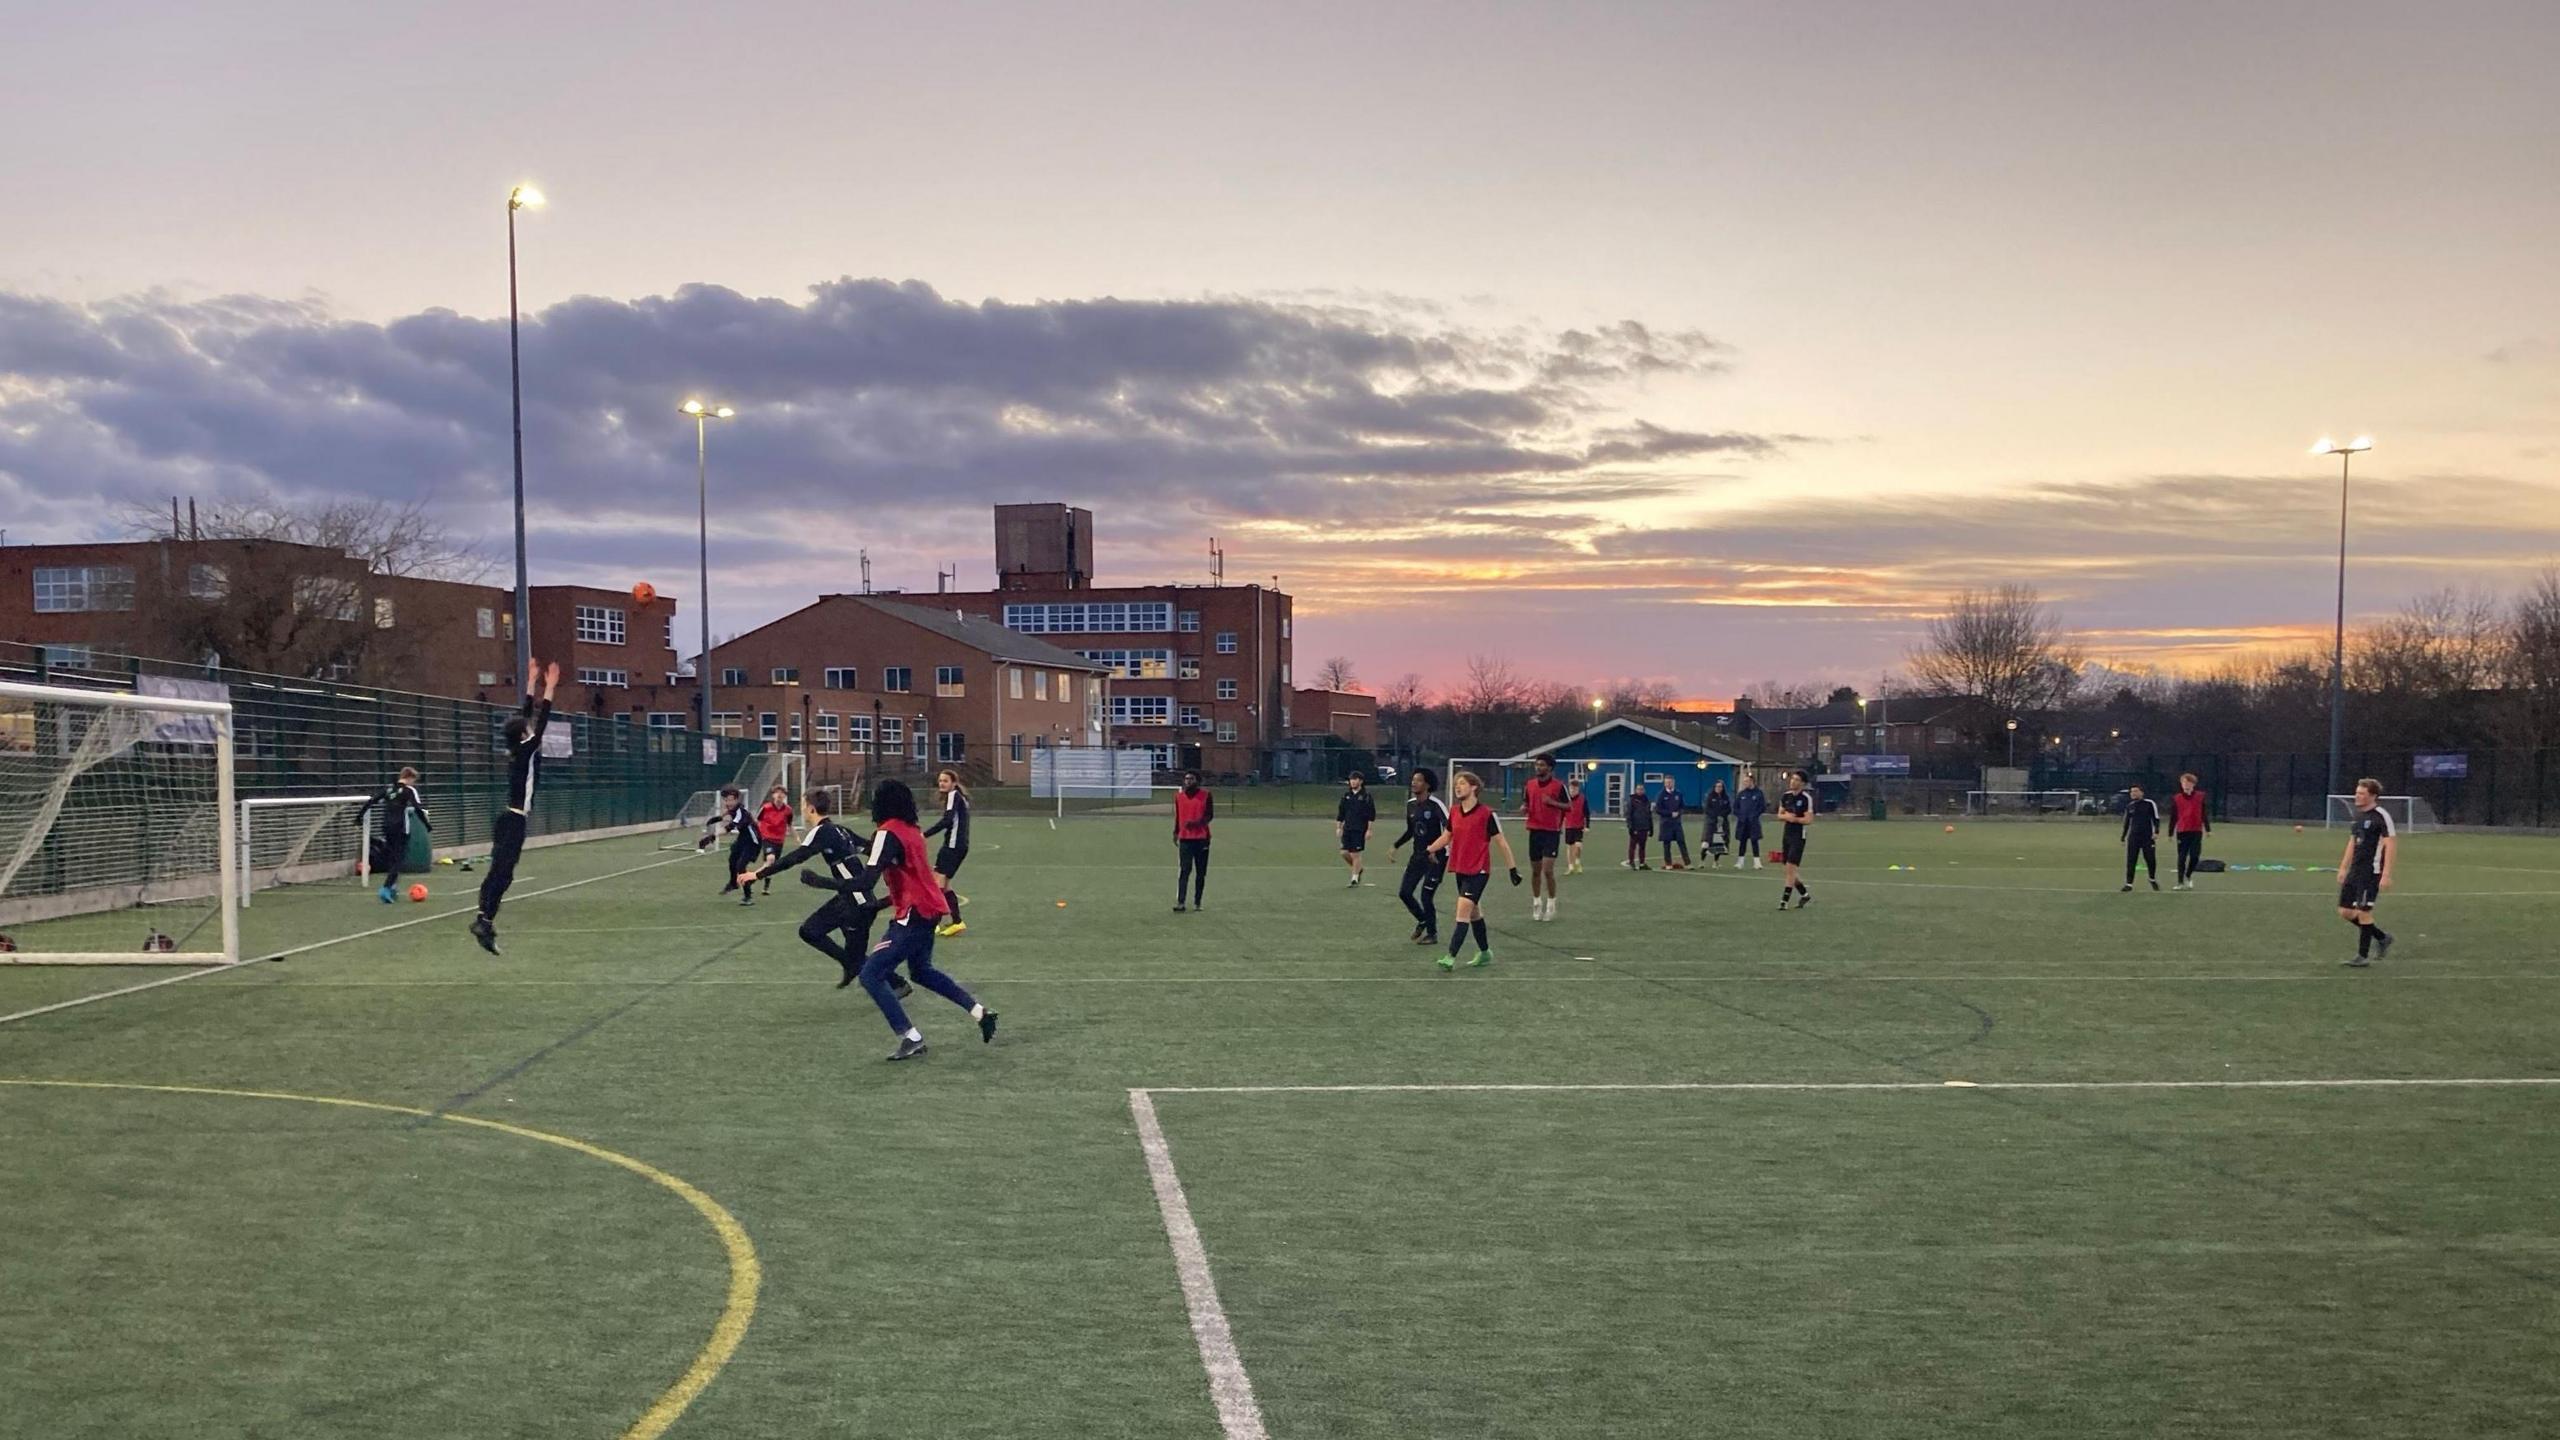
x: 972, y: 1247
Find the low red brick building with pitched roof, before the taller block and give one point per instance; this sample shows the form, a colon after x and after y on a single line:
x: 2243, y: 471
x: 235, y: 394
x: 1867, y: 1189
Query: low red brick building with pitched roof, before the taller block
x: 869, y: 683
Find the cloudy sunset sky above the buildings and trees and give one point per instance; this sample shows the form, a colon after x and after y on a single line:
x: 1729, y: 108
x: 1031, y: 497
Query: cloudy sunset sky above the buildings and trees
x: 1678, y: 342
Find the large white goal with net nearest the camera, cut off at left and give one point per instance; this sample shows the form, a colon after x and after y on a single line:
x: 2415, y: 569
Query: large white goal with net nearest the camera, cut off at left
x: 116, y: 803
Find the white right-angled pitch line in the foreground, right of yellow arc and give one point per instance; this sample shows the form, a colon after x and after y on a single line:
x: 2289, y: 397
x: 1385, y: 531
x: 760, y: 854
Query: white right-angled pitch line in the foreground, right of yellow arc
x: 1233, y: 1390
